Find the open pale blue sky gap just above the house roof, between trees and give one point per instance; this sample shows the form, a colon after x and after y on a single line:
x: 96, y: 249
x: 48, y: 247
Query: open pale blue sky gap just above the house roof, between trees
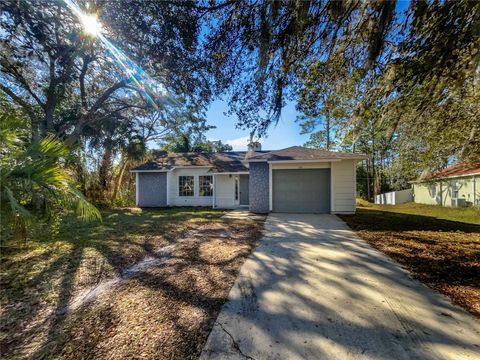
x: 286, y: 133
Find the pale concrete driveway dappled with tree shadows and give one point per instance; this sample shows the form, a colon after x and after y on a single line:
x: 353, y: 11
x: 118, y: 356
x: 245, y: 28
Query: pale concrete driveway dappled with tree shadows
x: 313, y: 290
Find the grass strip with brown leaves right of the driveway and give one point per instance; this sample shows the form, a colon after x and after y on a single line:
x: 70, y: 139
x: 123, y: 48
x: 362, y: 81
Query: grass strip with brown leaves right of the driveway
x: 440, y: 246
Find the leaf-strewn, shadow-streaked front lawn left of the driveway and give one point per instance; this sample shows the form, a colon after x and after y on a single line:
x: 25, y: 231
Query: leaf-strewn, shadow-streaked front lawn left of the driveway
x: 163, y: 312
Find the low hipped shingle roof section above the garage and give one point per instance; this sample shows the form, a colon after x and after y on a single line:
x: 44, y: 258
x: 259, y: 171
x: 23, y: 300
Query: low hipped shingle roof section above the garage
x: 302, y: 153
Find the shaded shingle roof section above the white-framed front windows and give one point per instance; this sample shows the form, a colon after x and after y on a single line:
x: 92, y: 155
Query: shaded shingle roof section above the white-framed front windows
x: 219, y: 162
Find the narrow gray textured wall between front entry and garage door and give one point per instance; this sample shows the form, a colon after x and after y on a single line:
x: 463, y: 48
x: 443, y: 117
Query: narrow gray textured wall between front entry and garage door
x: 259, y: 187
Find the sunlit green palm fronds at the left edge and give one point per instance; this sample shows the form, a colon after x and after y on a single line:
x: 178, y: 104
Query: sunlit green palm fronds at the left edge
x: 34, y: 184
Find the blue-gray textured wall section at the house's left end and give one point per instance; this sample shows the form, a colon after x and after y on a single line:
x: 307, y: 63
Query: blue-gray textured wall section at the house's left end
x: 152, y: 189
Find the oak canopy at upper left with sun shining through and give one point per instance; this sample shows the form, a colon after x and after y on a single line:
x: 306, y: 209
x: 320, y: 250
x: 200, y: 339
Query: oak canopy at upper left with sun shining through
x: 68, y: 81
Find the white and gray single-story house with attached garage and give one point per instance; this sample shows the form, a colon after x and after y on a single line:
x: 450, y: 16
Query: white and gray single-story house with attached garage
x: 295, y: 179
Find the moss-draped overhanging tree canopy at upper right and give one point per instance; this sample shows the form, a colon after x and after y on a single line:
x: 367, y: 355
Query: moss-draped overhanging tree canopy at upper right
x: 407, y: 62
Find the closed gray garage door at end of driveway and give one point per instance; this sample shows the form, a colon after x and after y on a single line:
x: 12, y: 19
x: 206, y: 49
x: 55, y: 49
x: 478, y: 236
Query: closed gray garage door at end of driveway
x: 301, y: 190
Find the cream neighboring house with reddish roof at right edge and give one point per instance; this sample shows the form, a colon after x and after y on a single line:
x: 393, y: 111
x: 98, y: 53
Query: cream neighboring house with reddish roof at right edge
x: 457, y: 186
